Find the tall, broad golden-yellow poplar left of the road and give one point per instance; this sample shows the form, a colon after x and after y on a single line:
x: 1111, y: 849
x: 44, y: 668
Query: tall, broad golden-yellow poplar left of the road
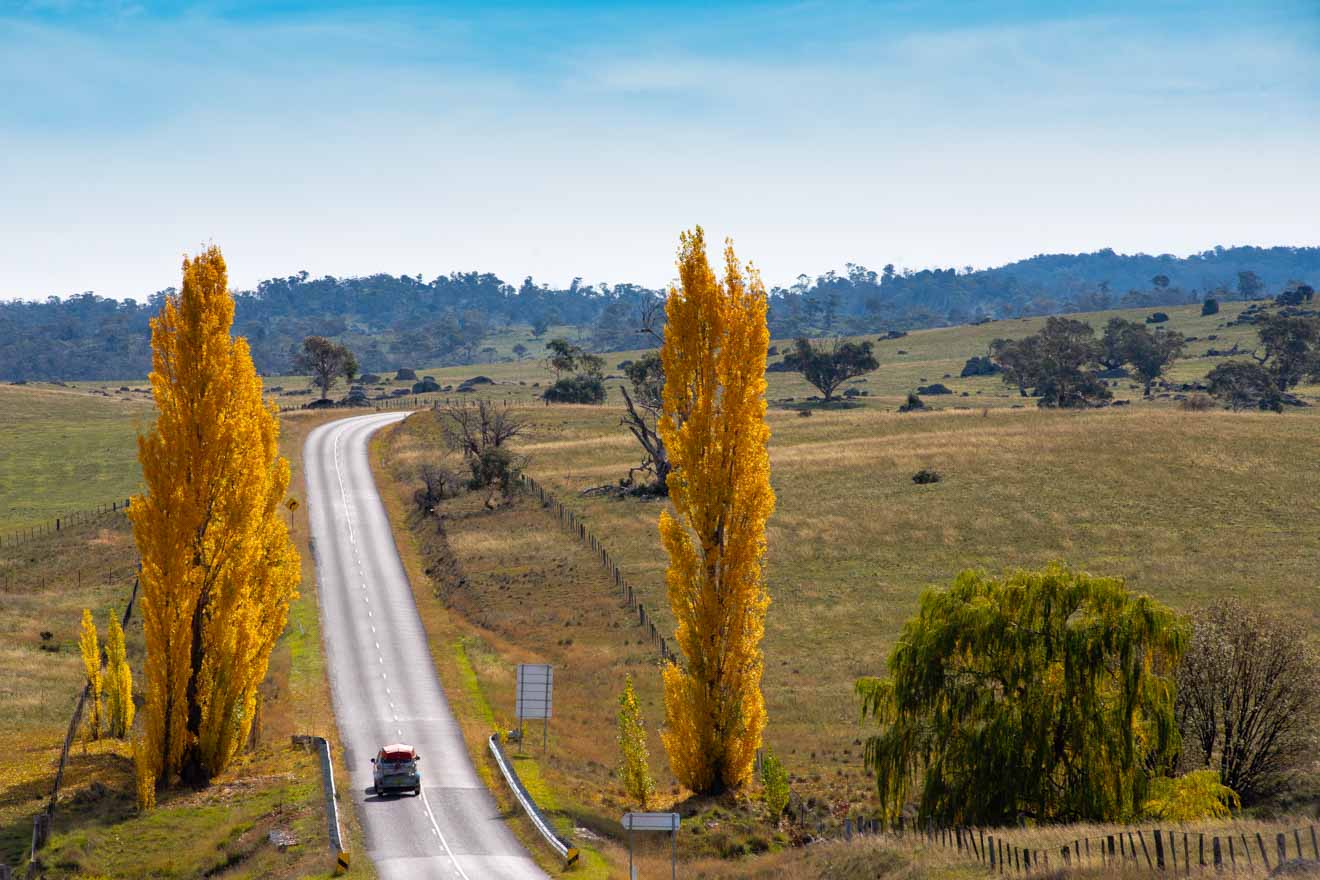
x: 218, y: 567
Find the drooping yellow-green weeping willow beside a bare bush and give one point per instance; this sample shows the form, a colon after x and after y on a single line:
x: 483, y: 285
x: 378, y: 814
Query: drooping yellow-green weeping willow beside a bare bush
x: 1042, y: 695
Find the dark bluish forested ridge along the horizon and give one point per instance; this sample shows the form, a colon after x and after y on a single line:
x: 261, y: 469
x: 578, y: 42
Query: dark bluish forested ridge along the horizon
x: 401, y: 321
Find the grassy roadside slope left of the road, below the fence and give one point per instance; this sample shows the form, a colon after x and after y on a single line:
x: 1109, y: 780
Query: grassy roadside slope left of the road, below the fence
x: 220, y: 832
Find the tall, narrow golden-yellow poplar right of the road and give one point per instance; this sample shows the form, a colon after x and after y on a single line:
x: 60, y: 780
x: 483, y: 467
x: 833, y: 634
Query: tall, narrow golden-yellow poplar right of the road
x: 715, y: 428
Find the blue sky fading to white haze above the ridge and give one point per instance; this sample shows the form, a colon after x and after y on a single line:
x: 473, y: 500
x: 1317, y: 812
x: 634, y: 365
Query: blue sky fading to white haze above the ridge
x: 579, y: 139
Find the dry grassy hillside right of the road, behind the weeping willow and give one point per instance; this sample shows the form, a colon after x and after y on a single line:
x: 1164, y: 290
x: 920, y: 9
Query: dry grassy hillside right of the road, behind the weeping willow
x: 1189, y: 507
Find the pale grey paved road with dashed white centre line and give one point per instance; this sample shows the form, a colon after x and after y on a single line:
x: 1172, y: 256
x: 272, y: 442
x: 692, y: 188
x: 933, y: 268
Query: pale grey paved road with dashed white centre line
x: 385, y: 684
